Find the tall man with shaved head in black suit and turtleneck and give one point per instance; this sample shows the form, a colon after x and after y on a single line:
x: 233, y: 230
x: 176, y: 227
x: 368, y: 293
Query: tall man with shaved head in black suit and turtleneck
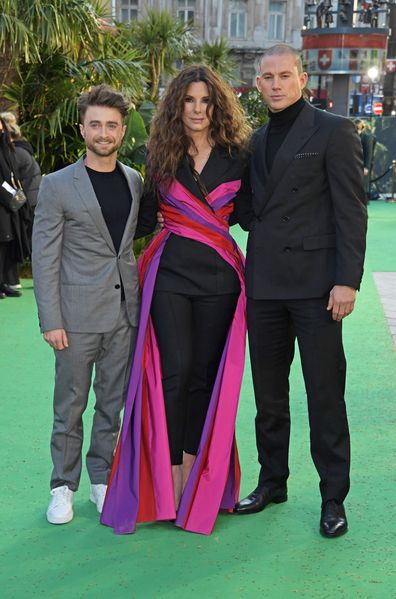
x: 307, y: 229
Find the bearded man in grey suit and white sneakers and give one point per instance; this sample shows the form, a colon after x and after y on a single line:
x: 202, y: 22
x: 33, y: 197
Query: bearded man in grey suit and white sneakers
x: 86, y: 287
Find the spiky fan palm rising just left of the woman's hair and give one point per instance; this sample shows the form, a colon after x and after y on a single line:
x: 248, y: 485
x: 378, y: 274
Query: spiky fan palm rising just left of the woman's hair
x: 162, y: 40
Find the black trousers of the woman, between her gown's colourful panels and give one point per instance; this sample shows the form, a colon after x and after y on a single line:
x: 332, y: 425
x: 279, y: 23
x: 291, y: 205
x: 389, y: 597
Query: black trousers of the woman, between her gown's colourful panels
x: 191, y: 332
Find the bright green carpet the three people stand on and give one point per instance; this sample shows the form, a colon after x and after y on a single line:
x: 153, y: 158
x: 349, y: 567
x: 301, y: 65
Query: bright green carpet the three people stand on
x: 275, y: 554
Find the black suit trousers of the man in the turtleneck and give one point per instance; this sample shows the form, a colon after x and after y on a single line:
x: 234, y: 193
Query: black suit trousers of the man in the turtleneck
x: 273, y: 326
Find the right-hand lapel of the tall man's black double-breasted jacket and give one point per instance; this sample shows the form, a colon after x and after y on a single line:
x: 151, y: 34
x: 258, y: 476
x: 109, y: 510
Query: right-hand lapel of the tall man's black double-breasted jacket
x: 301, y: 131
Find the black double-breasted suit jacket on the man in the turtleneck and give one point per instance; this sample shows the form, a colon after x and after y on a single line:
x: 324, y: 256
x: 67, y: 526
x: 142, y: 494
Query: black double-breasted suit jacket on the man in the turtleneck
x: 307, y: 218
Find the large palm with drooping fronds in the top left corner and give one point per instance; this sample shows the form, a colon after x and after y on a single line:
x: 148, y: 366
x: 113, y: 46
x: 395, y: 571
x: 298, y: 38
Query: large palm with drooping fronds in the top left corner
x: 61, y: 48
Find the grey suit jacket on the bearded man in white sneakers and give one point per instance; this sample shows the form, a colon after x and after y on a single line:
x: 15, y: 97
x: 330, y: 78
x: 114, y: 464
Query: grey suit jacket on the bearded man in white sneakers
x: 76, y: 270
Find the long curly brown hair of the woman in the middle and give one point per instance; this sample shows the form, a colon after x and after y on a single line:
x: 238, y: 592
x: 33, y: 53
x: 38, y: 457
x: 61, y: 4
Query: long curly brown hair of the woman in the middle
x: 169, y: 142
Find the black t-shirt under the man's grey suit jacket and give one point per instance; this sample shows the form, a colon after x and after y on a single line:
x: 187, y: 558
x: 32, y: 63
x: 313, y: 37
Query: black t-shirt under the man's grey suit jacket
x: 114, y: 197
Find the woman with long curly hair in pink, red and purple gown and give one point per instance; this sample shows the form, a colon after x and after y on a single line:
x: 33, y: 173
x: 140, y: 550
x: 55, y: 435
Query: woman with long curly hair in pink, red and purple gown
x: 177, y: 458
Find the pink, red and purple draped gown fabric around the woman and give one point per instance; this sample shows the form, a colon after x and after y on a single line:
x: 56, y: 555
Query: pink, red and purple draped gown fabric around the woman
x: 140, y: 487
